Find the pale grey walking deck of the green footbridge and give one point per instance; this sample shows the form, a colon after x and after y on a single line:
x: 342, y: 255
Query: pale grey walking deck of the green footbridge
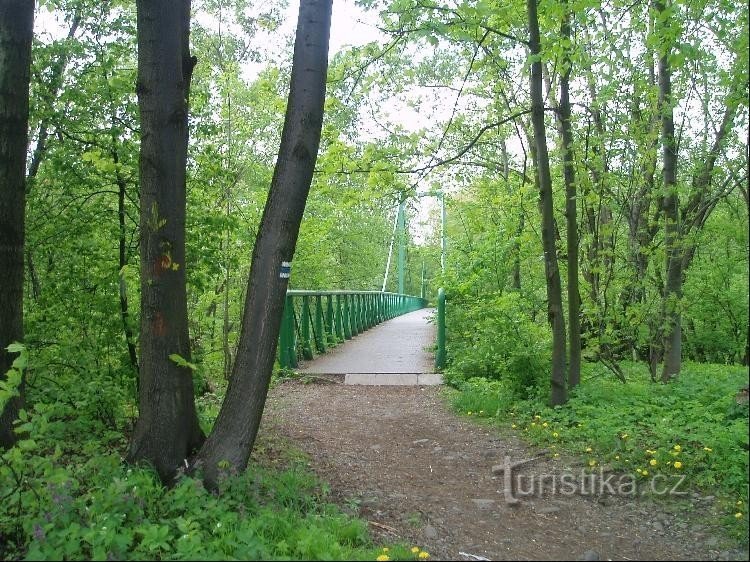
x: 401, y: 346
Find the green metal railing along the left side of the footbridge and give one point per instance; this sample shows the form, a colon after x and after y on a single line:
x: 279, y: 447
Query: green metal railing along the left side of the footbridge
x: 314, y: 321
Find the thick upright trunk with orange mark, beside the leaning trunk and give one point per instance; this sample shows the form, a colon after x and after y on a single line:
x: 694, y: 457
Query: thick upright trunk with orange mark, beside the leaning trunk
x: 167, y: 431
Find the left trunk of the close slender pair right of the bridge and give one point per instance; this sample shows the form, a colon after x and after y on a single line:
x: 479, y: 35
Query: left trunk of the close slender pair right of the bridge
x: 554, y: 289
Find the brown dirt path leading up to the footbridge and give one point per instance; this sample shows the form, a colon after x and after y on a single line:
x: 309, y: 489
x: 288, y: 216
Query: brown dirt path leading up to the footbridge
x: 399, y: 458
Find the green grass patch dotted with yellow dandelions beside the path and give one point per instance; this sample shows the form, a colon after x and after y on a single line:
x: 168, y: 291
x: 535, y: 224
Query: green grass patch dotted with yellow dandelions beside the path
x: 692, y: 426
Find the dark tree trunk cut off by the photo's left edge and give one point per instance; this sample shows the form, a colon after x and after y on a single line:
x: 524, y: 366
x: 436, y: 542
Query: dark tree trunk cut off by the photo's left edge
x: 16, y: 32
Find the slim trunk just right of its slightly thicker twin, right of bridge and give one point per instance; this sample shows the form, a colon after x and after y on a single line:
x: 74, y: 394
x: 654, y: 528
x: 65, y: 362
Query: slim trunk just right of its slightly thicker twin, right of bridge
x: 574, y: 305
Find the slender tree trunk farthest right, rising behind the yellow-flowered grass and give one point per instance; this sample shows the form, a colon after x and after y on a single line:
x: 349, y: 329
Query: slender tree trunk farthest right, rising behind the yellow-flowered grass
x: 672, y: 340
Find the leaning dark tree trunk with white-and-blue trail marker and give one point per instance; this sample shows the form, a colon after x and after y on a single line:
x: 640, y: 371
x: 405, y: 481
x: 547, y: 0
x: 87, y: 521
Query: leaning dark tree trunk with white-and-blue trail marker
x: 235, y: 430
